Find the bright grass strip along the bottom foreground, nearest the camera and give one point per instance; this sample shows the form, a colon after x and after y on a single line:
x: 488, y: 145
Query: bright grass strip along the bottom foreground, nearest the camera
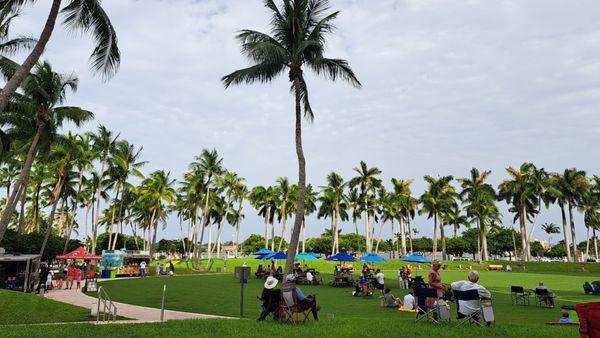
x: 337, y: 327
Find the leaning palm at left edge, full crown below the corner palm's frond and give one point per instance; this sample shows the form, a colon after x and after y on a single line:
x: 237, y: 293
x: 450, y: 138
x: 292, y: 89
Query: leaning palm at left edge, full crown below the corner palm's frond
x: 43, y: 93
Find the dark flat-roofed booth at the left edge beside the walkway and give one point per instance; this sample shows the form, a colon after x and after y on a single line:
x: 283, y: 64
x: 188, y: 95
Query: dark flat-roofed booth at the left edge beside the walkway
x: 17, y: 271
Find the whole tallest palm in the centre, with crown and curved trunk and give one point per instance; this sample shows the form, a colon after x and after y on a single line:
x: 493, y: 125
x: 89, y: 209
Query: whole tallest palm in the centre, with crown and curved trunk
x: 299, y: 29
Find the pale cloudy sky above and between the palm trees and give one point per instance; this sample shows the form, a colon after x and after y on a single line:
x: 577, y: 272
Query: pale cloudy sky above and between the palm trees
x: 447, y: 86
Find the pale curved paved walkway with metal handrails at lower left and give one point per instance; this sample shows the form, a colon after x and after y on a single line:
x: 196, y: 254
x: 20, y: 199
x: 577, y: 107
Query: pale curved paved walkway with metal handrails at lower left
x: 138, y: 313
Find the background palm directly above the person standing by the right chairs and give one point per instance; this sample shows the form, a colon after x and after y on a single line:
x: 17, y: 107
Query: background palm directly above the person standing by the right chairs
x: 437, y: 199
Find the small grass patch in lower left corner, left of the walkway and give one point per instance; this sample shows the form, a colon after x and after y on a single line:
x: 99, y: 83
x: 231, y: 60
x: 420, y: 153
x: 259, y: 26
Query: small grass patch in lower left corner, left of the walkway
x: 23, y: 308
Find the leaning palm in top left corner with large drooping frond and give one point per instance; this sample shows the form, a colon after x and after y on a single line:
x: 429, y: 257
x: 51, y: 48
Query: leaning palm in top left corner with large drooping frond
x: 85, y: 16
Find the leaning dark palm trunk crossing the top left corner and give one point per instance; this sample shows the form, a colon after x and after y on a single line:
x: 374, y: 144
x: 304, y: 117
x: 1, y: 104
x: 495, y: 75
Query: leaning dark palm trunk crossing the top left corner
x: 33, y: 57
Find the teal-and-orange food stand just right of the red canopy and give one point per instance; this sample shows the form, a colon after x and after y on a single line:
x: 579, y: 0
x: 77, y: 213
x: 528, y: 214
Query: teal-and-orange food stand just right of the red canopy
x: 120, y: 263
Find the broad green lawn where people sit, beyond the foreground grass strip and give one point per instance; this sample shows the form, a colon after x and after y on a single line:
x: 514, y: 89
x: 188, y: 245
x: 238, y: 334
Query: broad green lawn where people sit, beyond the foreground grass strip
x: 220, y: 294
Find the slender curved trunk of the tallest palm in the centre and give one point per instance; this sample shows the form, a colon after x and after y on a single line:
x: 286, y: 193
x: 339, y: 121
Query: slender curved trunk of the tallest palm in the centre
x: 291, y: 255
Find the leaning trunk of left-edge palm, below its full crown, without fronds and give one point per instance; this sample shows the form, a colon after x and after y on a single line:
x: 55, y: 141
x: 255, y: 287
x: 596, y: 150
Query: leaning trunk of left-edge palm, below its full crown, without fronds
x: 22, y: 180
